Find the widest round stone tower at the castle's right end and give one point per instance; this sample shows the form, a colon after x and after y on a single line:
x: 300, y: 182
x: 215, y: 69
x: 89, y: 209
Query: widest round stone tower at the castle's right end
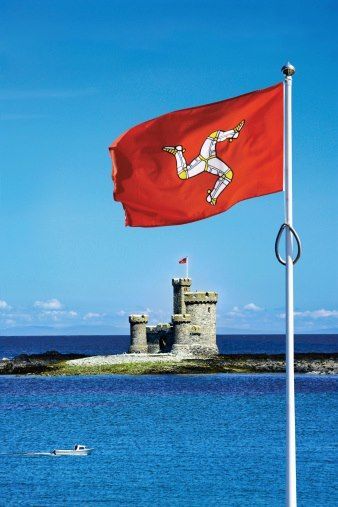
x: 201, y: 306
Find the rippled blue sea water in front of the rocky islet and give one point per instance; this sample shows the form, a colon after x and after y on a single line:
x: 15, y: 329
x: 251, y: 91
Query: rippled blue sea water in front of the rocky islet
x: 171, y: 440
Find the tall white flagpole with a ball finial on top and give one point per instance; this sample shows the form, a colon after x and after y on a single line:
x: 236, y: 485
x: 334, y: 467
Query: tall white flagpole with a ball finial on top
x: 291, y: 496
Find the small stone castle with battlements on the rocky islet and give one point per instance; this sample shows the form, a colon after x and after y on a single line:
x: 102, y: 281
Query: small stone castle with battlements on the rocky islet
x: 191, y: 332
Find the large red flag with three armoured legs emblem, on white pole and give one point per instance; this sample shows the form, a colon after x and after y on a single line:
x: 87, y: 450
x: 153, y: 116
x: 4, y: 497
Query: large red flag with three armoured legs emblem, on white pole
x: 198, y: 162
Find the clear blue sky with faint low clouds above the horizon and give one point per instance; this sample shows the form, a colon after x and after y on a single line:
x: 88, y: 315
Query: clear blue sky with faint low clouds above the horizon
x: 74, y: 75
